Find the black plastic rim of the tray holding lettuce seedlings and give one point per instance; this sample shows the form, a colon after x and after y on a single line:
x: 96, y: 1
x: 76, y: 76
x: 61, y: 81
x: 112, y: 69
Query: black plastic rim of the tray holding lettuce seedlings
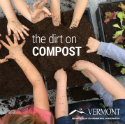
x: 102, y: 34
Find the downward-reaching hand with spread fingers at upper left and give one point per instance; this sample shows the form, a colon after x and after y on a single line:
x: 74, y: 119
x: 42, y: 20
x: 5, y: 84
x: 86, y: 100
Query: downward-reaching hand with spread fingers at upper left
x: 17, y: 28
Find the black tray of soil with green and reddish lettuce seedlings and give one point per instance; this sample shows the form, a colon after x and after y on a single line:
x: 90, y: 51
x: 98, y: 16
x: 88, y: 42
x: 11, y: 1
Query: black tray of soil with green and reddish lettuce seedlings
x: 111, y: 23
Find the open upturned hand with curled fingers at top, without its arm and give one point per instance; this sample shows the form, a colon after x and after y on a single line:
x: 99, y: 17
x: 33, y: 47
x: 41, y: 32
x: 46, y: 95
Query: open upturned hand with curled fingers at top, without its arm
x: 39, y: 11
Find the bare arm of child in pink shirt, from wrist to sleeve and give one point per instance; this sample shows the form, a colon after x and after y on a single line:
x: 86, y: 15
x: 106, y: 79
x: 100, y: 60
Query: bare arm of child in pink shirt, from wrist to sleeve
x: 35, y: 78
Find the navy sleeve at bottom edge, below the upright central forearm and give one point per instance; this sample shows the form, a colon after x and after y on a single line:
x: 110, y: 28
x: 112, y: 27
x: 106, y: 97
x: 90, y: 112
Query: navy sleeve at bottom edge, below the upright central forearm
x: 64, y: 120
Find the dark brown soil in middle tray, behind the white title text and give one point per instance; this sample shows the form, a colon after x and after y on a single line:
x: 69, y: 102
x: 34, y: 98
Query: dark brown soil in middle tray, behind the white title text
x: 49, y: 64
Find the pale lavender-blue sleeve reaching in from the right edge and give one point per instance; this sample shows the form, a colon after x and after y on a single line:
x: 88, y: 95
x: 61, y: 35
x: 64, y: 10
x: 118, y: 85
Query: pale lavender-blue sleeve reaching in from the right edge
x: 112, y: 51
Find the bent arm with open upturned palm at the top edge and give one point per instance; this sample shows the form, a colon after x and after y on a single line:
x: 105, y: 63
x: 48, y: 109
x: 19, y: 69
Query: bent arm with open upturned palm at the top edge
x: 38, y: 10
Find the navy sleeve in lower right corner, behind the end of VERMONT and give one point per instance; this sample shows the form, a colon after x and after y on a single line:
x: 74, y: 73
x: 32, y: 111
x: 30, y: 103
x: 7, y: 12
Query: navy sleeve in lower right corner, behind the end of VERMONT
x: 119, y: 105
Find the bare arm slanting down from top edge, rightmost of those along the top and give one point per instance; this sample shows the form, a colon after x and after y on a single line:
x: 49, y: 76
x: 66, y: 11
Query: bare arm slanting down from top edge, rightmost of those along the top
x: 78, y: 12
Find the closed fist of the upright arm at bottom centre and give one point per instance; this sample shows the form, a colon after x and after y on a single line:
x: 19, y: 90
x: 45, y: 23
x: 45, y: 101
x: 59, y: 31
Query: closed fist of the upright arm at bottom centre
x: 60, y: 76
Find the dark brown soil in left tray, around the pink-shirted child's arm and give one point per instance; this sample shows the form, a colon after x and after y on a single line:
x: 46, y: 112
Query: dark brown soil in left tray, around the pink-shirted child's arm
x: 12, y: 79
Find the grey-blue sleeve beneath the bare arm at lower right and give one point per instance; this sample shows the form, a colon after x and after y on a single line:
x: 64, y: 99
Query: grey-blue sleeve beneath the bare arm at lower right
x: 107, y: 98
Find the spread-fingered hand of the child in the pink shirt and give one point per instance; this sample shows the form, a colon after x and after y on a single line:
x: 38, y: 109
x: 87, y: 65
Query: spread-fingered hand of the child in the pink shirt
x: 15, y: 49
